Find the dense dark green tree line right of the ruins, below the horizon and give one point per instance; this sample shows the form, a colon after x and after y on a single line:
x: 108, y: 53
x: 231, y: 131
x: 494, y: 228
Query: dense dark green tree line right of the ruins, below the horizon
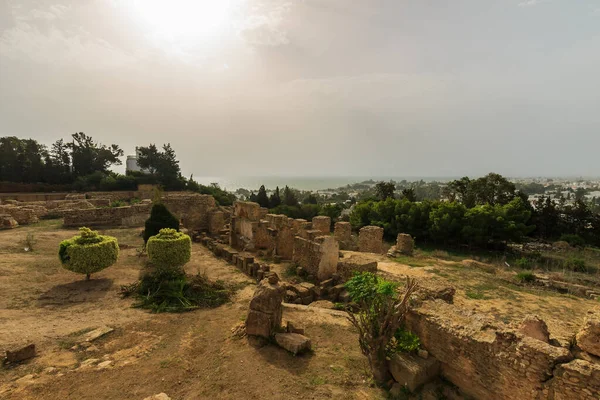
x: 488, y: 211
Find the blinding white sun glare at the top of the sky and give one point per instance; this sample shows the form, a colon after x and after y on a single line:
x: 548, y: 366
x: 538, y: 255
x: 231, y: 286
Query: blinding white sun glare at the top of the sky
x: 184, y: 20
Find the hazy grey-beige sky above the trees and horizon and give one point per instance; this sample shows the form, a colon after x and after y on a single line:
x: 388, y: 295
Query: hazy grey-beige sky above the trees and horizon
x: 313, y: 87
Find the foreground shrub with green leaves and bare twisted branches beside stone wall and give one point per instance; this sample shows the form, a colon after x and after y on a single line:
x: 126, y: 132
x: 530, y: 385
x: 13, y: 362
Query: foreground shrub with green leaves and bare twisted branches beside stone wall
x: 381, y: 311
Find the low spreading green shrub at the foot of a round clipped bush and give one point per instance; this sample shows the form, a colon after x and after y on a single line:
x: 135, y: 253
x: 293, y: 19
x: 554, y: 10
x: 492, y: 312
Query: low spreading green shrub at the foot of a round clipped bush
x: 173, y: 291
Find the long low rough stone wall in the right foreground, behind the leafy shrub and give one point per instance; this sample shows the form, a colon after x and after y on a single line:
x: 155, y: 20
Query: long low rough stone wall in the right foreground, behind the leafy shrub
x: 484, y: 362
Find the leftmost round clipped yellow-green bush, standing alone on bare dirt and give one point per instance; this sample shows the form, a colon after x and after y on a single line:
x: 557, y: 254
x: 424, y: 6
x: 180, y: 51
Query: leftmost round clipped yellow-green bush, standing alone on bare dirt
x: 89, y: 252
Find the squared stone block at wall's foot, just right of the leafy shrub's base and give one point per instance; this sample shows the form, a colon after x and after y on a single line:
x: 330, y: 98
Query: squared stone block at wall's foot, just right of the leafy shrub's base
x: 412, y: 371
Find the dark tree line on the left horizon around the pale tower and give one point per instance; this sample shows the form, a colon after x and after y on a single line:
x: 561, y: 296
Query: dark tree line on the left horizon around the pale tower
x: 83, y: 164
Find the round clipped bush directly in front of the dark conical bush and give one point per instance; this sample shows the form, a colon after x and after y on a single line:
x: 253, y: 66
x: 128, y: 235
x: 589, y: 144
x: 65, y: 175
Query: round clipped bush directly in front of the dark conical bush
x: 169, y: 249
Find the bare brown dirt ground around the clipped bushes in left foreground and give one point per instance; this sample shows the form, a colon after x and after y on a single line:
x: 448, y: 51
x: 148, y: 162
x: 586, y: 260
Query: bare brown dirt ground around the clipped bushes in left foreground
x: 188, y: 356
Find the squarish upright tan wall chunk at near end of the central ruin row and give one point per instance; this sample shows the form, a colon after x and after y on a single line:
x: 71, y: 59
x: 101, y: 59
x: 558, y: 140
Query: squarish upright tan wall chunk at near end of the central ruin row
x: 318, y: 258
